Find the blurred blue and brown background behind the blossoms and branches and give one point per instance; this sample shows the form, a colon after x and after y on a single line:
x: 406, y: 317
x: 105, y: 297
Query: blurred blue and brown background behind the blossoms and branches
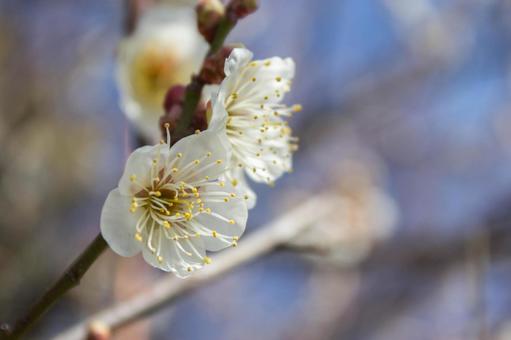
x: 406, y: 117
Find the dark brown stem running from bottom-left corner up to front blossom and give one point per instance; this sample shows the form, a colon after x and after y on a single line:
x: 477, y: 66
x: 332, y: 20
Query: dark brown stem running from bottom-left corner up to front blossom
x: 69, y: 279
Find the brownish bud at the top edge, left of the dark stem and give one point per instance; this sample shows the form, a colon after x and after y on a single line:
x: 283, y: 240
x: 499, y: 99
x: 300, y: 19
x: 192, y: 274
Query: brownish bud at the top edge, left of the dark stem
x: 209, y: 14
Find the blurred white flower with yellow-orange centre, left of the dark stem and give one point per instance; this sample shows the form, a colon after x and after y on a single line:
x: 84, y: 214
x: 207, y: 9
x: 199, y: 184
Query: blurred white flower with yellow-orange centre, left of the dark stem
x: 165, y: 50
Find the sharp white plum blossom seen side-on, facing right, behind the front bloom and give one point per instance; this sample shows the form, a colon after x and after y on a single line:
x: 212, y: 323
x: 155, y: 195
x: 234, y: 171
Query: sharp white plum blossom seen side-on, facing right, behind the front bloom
x: 248, y: 110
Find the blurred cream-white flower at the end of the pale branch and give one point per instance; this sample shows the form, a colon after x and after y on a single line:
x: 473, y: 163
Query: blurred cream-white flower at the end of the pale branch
x: 366, y: 215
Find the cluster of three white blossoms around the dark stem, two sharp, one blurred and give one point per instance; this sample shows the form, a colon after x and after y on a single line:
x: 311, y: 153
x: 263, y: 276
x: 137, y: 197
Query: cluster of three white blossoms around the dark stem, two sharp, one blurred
x: 176, y: 201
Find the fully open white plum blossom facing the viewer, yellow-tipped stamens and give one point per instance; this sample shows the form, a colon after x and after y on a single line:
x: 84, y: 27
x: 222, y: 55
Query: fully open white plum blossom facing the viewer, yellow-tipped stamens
x: 171, y: 206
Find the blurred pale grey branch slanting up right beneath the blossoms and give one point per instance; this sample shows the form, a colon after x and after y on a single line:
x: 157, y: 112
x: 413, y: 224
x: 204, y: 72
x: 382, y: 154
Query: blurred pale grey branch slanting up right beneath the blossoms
x: 168, y: 290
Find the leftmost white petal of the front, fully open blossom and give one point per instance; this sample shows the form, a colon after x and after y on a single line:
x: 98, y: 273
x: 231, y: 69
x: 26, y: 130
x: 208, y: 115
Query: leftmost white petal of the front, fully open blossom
x: 118, y: 225
